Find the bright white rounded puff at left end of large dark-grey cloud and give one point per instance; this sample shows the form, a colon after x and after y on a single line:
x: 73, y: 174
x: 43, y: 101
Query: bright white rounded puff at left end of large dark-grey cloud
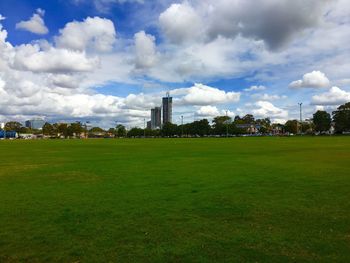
x: 180, y: 23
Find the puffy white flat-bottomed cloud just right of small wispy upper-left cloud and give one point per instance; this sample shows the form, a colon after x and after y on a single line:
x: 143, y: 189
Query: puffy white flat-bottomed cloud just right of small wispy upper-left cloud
x: 93, y: 33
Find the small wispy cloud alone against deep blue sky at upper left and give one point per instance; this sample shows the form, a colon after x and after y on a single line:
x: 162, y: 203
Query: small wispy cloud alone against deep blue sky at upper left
x: 35, y: 24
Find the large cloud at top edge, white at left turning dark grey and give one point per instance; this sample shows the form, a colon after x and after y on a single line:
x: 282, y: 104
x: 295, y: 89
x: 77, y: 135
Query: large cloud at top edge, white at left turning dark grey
x: 275, y: 22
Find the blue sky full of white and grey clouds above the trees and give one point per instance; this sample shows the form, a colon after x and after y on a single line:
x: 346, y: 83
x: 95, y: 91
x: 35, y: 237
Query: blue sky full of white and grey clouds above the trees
x: 110, y: 61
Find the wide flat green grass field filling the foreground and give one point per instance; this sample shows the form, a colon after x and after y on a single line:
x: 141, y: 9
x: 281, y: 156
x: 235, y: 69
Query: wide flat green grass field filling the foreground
x: 175, y: 200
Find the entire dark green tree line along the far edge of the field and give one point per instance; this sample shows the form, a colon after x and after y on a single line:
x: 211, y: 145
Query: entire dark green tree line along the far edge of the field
x: 220, y: 126
